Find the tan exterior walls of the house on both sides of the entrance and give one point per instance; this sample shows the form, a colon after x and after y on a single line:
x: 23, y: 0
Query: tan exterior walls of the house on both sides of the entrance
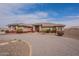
x: 32, y: 29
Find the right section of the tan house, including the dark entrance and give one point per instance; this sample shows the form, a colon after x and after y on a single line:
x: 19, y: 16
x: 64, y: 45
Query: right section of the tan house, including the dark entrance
x: 38, y: 27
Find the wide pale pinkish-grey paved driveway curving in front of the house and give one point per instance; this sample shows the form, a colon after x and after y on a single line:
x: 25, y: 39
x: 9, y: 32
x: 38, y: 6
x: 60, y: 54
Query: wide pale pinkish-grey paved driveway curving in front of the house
x: 48, y: 44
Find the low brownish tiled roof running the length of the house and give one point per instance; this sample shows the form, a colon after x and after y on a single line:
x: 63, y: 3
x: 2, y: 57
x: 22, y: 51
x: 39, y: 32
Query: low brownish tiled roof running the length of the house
x: 30, y: 25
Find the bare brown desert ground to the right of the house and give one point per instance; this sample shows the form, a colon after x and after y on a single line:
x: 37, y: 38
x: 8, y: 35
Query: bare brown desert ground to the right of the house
x: 72, y: 33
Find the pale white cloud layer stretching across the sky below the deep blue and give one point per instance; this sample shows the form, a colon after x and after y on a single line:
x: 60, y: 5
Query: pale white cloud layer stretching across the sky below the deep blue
x: 7, y: 16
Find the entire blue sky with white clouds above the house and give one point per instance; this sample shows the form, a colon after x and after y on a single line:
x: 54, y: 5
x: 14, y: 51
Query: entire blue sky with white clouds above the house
x: 62, y: 13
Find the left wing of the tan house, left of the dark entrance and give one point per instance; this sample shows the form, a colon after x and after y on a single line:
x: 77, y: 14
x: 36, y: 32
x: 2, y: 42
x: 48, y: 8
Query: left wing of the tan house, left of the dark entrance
x: 19, y: 26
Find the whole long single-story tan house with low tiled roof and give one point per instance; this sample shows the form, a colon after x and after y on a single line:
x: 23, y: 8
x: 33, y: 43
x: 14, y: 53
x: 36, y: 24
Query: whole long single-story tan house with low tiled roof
x: 37, y: 27
